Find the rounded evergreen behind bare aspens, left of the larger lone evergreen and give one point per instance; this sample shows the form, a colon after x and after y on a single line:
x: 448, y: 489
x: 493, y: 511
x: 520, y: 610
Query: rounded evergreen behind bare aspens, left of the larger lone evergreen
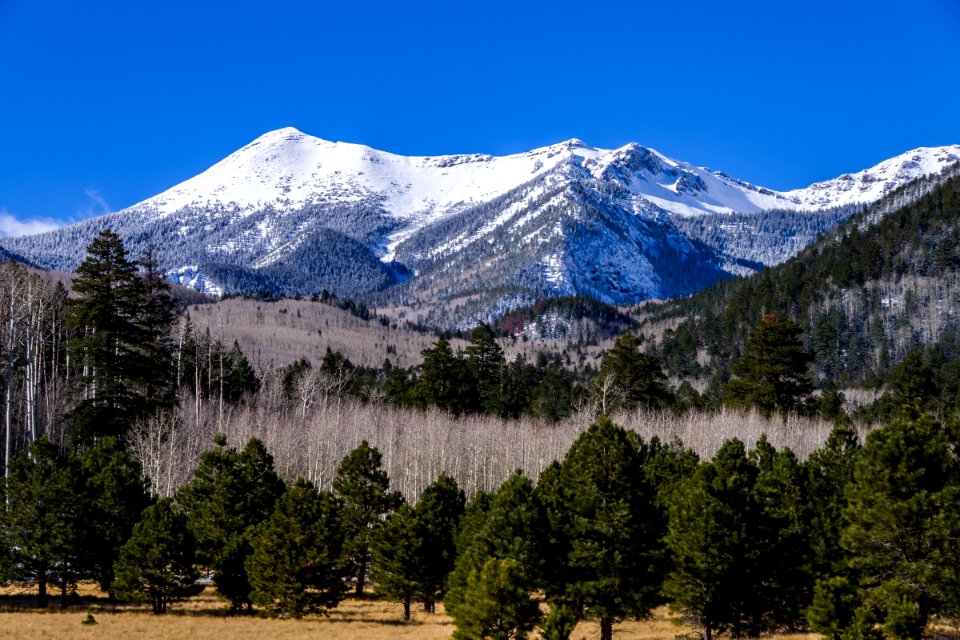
x: 637, y: 378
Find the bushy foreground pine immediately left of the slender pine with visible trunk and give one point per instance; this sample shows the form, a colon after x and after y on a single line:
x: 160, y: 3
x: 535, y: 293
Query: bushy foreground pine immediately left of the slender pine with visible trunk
x: 296, y: 566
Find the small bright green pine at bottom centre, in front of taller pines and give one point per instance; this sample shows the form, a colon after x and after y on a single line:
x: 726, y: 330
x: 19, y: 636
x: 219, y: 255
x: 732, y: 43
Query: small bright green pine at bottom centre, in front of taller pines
x: 496, y: 603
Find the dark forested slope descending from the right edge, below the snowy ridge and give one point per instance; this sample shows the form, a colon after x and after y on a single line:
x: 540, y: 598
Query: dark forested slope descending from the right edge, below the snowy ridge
x: 866, y: 295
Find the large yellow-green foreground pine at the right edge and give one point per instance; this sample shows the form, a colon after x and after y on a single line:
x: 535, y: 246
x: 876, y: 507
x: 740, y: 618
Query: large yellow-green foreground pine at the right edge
x: 904, y: 521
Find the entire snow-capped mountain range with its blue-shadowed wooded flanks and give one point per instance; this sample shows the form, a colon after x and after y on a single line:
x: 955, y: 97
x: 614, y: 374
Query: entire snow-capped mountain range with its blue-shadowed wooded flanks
x: 293, y: 213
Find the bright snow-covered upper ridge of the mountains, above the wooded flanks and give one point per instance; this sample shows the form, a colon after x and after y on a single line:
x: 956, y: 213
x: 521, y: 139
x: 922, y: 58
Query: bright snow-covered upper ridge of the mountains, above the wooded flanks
x: 287, y: 167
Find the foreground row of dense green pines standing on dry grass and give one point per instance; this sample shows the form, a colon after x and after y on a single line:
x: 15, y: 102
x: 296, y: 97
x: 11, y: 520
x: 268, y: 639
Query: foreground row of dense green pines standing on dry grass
x: 856, y: 541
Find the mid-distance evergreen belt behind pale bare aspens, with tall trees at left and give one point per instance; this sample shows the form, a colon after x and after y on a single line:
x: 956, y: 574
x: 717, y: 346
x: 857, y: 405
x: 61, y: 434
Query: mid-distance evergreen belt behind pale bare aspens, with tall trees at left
x: 116, y: 351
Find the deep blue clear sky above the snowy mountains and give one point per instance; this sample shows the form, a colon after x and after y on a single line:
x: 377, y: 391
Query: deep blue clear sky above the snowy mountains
x: 103, y: 104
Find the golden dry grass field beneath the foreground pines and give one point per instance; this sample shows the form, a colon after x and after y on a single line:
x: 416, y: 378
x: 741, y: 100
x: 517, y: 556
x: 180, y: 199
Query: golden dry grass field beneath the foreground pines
x: 206, y: 617
